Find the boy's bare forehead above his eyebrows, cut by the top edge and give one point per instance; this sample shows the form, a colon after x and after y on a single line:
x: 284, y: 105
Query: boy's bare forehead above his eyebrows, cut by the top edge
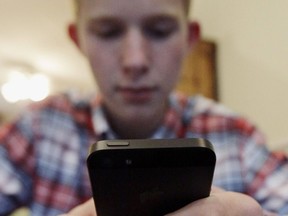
x: 129, y: 8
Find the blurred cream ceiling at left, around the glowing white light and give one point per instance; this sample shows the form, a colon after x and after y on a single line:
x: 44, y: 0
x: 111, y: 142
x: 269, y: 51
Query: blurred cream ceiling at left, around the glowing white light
x: 33, y: 34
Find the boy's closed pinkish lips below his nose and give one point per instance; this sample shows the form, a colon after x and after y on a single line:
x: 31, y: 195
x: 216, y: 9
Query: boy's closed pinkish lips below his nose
x: 137, y: 95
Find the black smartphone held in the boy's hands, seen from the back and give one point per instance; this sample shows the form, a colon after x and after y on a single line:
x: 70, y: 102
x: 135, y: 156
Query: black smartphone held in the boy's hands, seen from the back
x: 149, y: 177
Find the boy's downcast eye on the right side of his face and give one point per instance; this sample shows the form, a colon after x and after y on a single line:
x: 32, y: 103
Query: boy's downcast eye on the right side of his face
x: 161, y: 28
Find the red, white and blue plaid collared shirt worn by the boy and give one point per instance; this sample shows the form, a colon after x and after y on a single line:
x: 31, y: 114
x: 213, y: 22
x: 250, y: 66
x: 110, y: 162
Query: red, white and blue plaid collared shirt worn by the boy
x: 43, y: 153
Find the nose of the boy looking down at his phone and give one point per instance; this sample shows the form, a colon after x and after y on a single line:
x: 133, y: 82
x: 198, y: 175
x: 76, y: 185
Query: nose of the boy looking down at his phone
x: 135, y: 53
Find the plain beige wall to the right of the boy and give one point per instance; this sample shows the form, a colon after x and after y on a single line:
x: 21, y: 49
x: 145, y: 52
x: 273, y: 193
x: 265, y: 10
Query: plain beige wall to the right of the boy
x: 252, y: 59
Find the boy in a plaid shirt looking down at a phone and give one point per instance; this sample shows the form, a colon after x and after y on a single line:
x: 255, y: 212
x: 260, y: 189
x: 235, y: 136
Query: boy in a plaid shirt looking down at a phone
x: 135, y: 49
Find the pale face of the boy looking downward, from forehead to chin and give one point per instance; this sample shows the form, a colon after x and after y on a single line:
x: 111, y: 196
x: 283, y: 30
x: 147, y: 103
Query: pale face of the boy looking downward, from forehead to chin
x: 135, y: 49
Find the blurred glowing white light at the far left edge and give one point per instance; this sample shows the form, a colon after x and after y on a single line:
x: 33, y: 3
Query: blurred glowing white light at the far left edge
x: 22, y: 87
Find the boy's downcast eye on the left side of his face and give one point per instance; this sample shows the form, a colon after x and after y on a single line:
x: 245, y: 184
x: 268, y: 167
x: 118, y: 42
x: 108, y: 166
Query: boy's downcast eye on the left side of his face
x: 107, y: 29
